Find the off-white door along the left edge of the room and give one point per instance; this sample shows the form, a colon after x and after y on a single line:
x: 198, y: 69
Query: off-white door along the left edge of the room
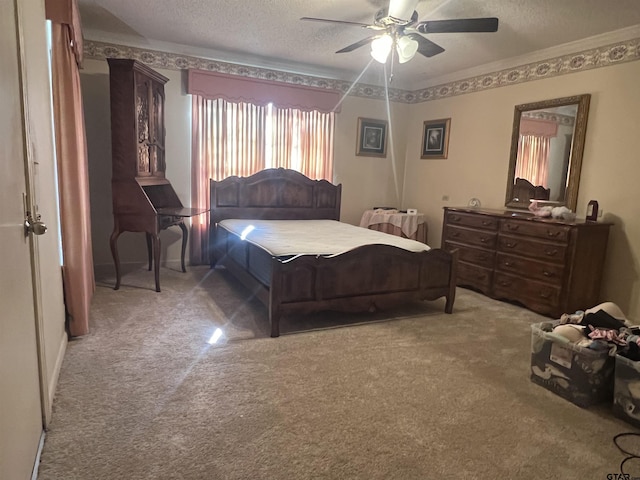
x: 21, y: 413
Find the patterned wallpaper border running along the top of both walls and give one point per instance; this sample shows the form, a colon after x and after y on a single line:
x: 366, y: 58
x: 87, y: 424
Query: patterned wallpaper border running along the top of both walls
x: 613, y: 54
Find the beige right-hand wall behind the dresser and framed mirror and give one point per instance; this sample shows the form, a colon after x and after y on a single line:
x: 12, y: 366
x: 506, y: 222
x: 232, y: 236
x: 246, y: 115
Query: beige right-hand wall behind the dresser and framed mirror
x: 479, y: 150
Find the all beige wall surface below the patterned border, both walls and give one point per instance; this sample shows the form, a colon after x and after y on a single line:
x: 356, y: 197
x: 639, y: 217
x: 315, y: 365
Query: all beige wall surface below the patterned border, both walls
x: 476, y: 167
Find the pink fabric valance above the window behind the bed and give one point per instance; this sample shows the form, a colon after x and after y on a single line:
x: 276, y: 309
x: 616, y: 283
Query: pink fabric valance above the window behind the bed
x: 233, y: 88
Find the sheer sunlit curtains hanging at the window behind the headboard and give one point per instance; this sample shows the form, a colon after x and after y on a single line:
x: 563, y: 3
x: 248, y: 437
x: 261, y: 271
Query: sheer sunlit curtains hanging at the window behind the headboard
x: 242, y: 139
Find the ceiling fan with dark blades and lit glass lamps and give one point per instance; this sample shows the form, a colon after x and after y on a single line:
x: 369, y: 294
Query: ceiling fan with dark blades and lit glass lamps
x: 398, y: 26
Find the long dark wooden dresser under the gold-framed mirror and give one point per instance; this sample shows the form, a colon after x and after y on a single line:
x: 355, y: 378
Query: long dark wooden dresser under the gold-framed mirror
x: 549, y: 266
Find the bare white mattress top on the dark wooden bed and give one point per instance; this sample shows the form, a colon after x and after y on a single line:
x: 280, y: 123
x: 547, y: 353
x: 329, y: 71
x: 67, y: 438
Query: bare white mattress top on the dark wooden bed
x: 312, y: 237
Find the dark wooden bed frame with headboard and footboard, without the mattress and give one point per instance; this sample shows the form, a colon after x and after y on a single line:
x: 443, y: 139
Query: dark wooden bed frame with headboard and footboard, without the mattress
x: 364, y: 279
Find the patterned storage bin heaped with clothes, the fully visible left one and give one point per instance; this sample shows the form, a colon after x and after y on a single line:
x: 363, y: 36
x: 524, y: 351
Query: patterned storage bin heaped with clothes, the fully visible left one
x: 581, y: 375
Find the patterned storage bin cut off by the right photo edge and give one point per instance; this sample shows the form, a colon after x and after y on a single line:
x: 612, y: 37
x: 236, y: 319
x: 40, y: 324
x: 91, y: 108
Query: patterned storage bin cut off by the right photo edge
x: 626, y: 390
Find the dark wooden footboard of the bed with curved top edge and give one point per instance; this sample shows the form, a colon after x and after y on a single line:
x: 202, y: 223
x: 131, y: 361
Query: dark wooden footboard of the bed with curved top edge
x: 368, y: 278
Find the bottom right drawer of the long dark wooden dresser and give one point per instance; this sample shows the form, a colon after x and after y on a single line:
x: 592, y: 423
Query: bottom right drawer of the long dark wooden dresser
x: 529, y: 292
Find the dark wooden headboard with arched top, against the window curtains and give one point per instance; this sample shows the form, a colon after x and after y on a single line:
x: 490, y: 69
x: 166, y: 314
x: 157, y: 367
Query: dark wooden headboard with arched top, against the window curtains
x: 274, y: 194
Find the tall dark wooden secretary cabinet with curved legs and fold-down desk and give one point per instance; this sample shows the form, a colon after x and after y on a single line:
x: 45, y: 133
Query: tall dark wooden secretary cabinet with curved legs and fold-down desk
x: 143, y: 198
